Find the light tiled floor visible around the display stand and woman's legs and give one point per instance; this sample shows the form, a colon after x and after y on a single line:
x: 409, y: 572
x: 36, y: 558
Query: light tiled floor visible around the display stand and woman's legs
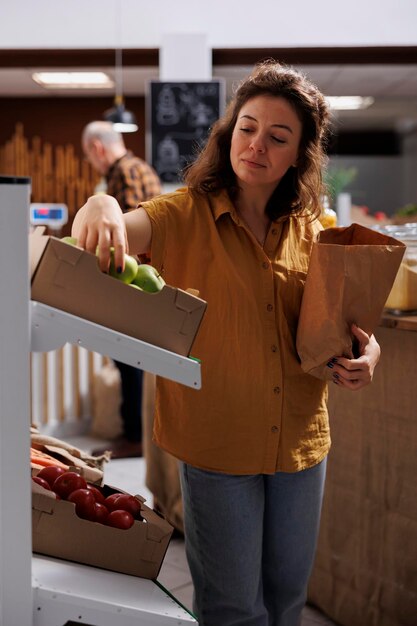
x: 129, y: 475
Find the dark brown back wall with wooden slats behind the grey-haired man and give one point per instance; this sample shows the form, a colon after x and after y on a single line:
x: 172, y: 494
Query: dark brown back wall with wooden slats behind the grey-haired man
x: 41, y: 138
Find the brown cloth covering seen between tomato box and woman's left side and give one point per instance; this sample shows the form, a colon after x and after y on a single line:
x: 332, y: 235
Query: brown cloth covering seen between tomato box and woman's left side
x: 162, y: 477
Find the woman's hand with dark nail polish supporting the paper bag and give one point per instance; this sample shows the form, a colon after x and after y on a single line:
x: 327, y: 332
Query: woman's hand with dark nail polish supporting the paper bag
x: 356, y: 373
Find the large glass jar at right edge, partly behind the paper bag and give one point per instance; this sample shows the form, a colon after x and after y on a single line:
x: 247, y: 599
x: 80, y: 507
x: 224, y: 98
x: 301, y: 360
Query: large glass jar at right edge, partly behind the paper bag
x: 402, y: 299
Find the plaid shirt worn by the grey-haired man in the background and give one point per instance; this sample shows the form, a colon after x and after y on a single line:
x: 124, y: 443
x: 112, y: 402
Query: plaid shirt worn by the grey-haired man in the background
x: 131, y: 181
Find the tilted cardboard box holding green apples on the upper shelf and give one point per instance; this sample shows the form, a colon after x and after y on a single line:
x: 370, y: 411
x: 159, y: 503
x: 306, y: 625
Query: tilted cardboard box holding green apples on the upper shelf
x: 69, y: 278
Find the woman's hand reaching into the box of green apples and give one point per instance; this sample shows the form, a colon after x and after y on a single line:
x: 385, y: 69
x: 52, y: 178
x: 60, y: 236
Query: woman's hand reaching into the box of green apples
x: 100, y: 223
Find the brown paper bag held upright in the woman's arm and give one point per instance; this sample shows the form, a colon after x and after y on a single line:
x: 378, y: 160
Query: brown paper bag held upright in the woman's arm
x: 349, y: 278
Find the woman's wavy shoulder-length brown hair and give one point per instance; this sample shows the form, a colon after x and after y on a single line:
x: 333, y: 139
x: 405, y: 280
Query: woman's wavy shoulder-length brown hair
x: 301, y: 186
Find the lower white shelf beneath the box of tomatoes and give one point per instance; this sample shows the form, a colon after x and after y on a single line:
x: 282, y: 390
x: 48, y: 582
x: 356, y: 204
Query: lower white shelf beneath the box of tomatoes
x: 65, y: 591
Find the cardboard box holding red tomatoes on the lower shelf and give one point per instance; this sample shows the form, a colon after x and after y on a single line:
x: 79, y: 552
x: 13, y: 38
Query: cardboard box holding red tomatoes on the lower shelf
x: 57, y: 531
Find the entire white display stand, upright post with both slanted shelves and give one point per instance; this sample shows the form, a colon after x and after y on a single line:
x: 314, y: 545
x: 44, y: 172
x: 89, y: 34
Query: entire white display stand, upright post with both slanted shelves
x: 58, y: 591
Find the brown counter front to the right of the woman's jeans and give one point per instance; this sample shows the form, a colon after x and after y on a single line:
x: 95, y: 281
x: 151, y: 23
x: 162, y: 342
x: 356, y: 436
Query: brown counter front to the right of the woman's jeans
x: 365, y: 569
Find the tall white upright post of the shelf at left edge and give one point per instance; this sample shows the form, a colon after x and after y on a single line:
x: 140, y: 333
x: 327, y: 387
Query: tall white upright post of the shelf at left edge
x: 15, y: 518
